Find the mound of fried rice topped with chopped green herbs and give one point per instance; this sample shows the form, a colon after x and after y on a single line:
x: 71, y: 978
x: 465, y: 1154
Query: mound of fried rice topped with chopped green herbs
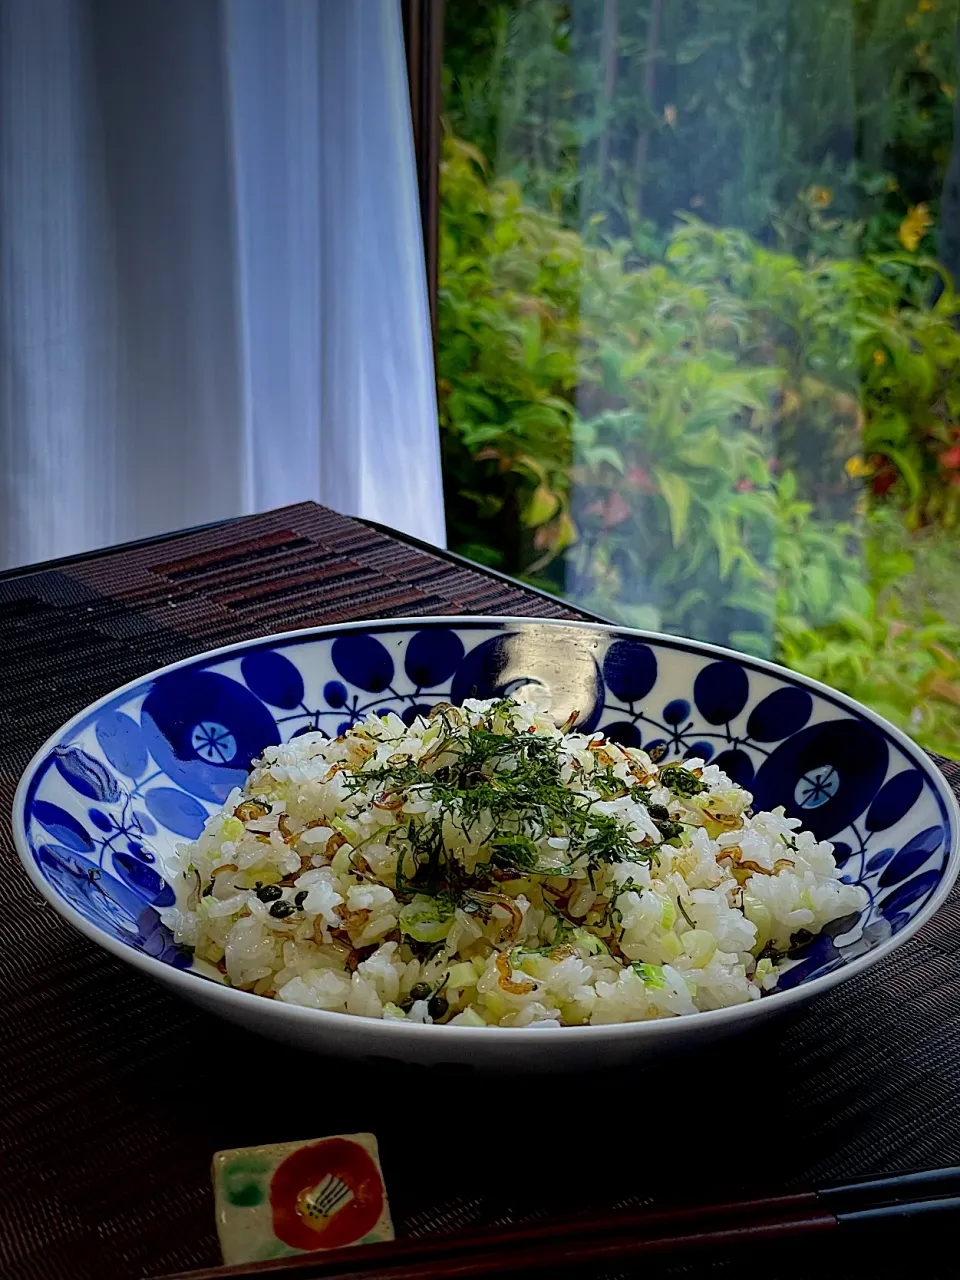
x: 482, y: 867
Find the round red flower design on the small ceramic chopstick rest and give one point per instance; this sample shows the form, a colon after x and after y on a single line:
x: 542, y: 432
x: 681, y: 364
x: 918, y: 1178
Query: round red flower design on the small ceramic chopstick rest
x: 326, y: 1196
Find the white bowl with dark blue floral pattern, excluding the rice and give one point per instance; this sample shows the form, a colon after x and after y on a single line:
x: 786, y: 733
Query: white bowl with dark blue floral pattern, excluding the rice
x: 107, y: 799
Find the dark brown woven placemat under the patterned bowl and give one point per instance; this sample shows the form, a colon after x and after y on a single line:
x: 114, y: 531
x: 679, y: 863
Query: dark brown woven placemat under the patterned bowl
x: 115, y: 1095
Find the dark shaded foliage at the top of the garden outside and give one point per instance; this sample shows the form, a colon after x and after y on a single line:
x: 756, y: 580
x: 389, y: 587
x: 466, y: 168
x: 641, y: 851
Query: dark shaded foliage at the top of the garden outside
x: 813, y: 125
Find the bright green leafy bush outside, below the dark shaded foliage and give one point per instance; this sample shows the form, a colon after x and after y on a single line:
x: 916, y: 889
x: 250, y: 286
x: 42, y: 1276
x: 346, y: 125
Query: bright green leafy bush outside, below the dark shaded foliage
x: 664, y: 441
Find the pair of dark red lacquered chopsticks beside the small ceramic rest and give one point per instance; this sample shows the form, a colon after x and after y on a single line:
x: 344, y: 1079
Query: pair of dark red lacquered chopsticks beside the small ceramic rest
x: 862, y: 1205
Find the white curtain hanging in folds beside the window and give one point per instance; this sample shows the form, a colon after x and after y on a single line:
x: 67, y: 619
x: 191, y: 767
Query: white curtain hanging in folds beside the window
x: 212, y: 280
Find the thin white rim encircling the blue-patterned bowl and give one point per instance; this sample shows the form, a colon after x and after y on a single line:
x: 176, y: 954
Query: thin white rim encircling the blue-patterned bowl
x: 185, y: 981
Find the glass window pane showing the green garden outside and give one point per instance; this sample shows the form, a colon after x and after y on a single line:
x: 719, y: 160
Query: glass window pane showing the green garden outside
x: 700, y: 337
